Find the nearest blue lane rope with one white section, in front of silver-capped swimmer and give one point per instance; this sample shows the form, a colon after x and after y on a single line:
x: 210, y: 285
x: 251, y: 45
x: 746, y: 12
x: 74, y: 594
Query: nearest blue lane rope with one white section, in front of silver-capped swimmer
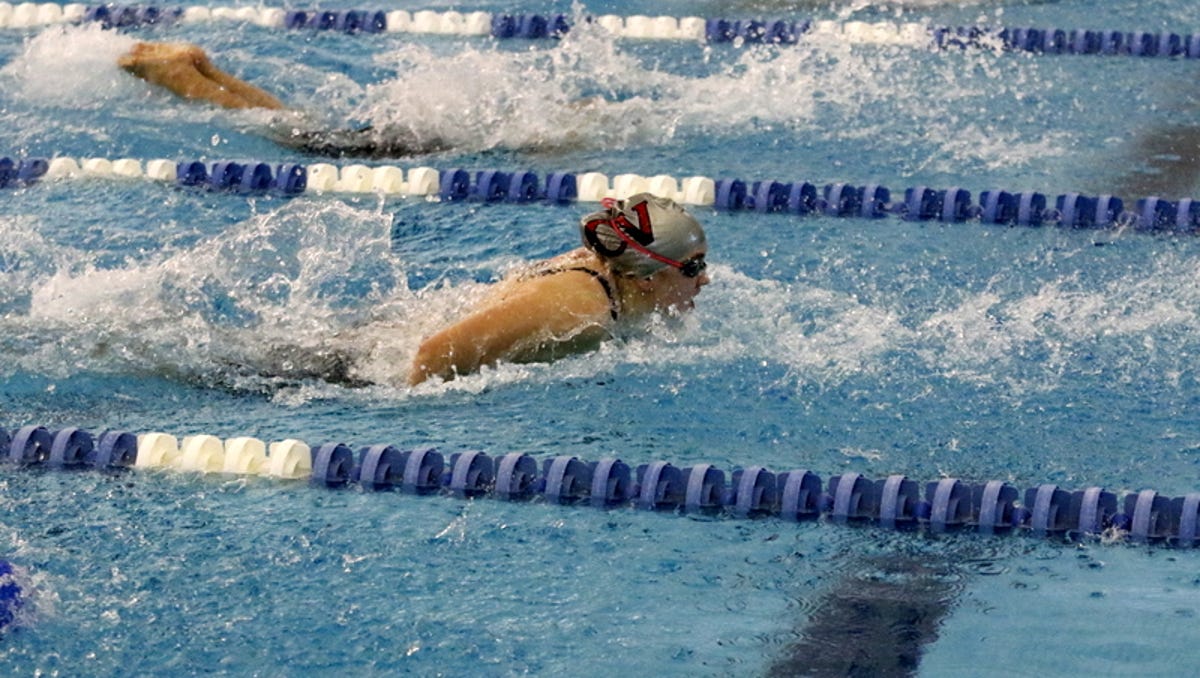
x: 896, y: 502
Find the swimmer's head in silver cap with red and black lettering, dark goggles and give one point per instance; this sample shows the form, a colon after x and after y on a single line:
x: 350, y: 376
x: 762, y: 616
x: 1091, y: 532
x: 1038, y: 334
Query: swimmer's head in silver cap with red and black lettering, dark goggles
x: 643, y: 235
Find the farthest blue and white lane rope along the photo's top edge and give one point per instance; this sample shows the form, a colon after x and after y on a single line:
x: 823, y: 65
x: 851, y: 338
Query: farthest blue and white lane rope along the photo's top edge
x: 539, y: 27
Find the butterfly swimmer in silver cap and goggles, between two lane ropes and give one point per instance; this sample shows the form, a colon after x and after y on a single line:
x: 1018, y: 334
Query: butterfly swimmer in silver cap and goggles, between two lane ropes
x: 640, y: 256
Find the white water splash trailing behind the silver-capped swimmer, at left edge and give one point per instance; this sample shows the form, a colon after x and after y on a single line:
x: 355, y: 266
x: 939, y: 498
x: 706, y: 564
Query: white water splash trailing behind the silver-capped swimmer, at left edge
x: 285, y: 279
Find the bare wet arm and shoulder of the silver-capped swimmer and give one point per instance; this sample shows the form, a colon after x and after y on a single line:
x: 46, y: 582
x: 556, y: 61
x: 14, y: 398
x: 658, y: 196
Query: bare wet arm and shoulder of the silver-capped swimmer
x: 520, y: 325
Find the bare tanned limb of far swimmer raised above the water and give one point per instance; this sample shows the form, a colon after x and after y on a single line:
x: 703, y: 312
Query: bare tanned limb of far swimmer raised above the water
x: 187, y: 71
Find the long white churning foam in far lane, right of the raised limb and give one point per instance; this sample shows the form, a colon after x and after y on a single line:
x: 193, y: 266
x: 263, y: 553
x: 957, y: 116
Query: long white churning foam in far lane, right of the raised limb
x: 587, y: 93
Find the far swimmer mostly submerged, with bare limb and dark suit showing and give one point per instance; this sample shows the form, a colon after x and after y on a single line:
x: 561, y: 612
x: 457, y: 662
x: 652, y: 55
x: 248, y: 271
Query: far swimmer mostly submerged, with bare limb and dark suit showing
x: 187, y: 71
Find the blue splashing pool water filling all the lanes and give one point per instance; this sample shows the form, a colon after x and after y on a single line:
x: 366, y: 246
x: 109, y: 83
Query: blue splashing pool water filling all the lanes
x: 880, y: 347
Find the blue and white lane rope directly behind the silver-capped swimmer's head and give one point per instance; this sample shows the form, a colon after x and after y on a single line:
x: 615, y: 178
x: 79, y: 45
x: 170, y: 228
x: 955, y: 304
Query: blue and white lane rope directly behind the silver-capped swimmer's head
x: 850, y: 201
